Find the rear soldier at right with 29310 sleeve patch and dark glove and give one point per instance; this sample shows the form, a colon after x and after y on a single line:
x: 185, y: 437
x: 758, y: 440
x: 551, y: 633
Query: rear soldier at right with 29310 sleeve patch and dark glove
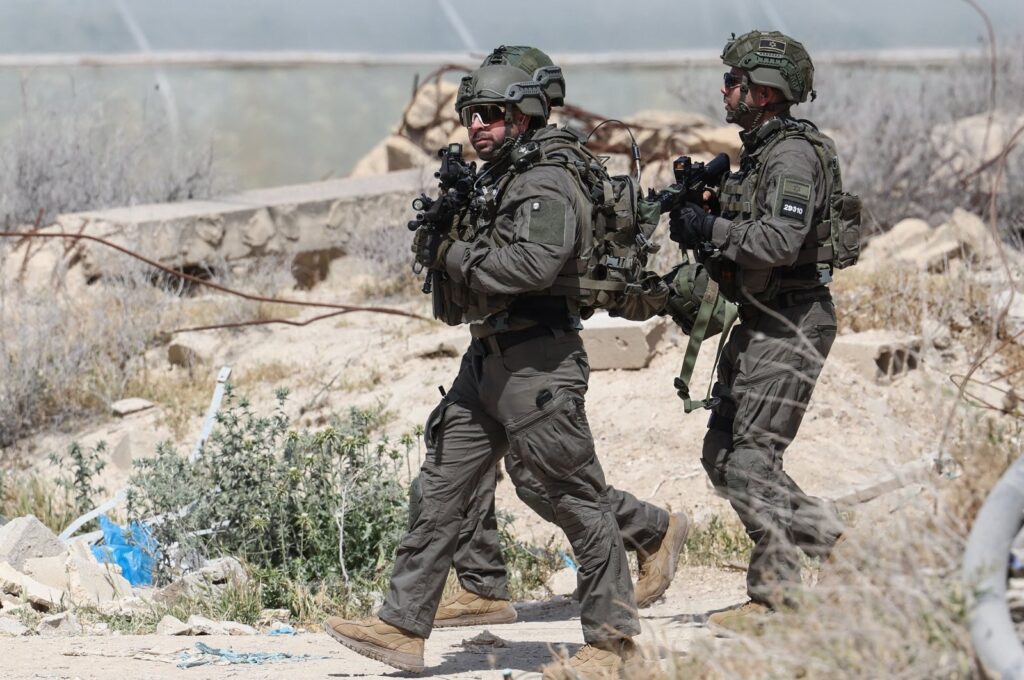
x: 774, y: 256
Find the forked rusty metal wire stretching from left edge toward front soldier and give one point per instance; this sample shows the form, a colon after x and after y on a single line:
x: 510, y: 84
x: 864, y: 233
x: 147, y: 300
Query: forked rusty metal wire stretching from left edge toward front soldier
x: 339, y: 309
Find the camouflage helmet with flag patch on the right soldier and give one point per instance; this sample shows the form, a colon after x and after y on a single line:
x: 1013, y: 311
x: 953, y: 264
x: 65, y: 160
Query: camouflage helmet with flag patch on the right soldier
x: 774, y: 60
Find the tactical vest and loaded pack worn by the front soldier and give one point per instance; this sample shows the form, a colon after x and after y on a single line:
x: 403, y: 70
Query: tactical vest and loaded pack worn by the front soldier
x: 608, y: 268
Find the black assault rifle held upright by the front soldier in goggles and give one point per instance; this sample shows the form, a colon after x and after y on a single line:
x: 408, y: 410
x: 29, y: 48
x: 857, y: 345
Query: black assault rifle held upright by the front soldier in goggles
x: 456, y: 183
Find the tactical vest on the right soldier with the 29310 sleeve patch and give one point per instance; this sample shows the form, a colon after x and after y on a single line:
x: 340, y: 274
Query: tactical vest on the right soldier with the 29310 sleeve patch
x: 834, y: 240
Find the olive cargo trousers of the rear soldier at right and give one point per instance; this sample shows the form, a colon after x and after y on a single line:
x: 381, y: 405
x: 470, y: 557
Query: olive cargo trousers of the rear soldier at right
x: 766, y: 376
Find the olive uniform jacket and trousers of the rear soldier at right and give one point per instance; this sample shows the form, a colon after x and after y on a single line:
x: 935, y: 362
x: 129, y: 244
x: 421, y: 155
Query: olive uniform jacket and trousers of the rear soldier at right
x: 770, y: 366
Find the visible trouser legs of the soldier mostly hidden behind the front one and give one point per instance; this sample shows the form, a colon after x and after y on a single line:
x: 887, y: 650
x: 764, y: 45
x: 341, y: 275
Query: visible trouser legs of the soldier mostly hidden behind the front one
x: 479, y: 562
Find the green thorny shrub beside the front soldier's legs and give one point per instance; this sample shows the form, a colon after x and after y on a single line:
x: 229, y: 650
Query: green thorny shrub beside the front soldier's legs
x: 276, y: 498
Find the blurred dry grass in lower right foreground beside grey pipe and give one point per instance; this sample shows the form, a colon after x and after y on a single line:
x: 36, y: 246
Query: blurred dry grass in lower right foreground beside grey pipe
x: 891, y: 604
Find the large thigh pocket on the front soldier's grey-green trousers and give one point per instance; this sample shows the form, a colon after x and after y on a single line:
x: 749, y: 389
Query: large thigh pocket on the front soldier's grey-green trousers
x: 556, y: 439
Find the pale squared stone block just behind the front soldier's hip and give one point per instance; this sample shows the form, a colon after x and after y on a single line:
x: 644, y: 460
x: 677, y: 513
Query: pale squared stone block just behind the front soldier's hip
x: 616, y: 344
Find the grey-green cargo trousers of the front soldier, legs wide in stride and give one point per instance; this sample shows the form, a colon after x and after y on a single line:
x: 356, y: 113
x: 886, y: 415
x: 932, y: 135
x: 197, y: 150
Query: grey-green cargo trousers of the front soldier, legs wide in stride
x: 528, y: 399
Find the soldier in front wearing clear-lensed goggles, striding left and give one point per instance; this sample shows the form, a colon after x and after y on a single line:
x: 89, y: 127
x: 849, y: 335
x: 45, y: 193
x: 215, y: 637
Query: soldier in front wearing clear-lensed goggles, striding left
x: 523, y: 381
